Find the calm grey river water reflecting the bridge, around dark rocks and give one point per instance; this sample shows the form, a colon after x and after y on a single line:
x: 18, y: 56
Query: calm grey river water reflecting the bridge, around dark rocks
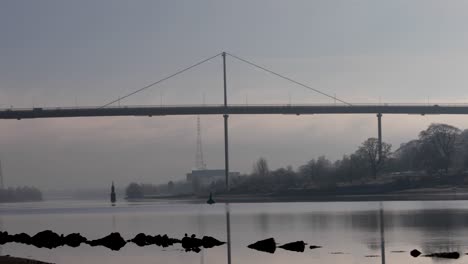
x: 349, y: 232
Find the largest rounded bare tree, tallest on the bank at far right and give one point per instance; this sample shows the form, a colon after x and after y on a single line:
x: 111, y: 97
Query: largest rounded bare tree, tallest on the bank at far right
x: 438, y: 145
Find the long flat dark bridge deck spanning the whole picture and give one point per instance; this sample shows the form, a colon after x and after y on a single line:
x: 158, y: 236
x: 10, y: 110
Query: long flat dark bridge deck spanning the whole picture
x: 65, y: 112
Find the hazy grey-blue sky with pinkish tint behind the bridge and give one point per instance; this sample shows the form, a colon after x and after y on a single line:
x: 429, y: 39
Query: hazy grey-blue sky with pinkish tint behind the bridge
x: 88, y: 53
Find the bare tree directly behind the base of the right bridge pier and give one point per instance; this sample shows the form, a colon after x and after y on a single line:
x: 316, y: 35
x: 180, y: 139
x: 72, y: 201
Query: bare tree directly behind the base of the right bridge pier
x: 369, y: 151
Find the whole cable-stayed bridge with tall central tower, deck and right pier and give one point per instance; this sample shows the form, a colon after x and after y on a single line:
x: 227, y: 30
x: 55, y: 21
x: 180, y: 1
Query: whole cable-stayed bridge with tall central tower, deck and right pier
x: 225, y: 109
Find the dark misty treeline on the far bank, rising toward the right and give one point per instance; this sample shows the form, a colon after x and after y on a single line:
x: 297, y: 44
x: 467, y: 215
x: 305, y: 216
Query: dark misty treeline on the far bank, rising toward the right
x: 439, y: 155
